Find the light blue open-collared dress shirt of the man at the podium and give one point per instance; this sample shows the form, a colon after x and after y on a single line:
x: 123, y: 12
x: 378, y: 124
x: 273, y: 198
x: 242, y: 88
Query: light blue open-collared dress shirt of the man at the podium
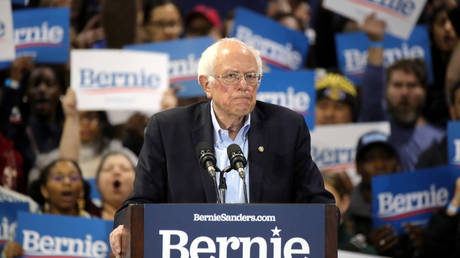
x: 235, y: 193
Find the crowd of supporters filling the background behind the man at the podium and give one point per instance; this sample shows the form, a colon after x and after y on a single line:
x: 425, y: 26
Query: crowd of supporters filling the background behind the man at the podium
x: 48, y: 148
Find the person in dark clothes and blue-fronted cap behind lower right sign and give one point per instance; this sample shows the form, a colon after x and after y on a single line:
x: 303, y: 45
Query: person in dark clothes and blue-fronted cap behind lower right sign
x: 376, y: 156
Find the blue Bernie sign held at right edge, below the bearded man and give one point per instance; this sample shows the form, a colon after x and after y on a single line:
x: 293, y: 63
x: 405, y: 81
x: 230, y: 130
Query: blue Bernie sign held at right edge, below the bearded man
x: 411, y: 197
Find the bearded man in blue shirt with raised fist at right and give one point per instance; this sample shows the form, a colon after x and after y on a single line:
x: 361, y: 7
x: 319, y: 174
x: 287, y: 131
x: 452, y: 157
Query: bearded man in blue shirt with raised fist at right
x: 400, y: 102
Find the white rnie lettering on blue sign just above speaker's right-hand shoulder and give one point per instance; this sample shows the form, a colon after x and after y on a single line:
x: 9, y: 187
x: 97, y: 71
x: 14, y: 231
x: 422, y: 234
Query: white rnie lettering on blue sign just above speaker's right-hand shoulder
x: 299, y: 101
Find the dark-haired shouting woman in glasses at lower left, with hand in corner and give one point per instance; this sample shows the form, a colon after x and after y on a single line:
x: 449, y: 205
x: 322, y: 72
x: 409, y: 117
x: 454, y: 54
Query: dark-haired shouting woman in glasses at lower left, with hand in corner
x: 60, y: 190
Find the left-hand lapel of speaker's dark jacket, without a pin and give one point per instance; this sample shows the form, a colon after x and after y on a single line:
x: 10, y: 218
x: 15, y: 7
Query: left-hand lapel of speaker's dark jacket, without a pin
x: 202, y: 131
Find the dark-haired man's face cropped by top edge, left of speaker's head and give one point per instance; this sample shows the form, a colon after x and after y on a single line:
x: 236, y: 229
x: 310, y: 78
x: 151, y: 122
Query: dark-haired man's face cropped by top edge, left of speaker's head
x: 163, y: 21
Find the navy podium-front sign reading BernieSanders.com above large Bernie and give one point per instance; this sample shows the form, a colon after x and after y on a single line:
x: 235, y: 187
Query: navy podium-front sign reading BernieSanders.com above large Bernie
x: 189, y: 230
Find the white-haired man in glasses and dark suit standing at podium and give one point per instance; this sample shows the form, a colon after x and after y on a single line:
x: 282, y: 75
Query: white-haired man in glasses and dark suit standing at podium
x: 274, y: 139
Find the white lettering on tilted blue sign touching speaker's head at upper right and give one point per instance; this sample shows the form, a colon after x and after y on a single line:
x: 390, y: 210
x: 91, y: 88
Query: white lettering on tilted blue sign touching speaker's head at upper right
x: 270, y: 49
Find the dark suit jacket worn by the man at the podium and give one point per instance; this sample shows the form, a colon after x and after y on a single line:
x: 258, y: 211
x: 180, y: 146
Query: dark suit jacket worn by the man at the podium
x: 168, y: 169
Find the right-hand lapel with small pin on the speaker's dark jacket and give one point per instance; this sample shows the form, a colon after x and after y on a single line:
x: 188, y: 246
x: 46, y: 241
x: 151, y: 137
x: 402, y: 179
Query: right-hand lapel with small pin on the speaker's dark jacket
x: 258, y: 138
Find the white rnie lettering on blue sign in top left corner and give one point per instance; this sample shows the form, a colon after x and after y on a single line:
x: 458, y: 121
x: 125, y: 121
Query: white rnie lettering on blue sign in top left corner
x: 39, y: 34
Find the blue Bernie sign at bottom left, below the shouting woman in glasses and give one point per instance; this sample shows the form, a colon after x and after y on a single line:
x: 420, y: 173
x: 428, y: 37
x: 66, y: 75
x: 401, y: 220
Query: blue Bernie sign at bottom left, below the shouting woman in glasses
x: 43, y: 235
